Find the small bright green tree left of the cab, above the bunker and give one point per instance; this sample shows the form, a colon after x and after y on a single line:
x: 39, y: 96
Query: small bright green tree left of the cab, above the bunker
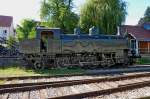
x: 26, y: 29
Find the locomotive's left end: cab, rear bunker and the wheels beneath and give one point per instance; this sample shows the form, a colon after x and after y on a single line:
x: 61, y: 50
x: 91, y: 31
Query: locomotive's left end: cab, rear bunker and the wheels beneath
x: 46, y: 43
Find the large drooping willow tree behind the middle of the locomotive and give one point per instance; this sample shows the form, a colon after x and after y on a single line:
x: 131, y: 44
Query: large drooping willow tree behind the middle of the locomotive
x: 104, y: 14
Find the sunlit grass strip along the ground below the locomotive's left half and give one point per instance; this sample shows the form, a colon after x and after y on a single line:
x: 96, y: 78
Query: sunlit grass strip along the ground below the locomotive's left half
x: 20, y: 71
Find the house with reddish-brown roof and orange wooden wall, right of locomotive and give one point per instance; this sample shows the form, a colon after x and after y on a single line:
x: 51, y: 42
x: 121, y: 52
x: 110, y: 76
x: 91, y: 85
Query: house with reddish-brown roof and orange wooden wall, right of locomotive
x: 138, y: 37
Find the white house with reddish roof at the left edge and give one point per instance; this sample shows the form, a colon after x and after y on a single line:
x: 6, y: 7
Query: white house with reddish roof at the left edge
x: 6, y: 27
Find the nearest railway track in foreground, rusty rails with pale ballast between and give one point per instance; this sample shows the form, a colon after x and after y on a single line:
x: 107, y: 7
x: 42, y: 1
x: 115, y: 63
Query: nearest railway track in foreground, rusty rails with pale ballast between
x: 74, y: 89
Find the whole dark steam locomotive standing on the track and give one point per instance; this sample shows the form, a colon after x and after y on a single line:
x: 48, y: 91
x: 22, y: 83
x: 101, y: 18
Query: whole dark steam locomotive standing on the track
x: 51, y: 48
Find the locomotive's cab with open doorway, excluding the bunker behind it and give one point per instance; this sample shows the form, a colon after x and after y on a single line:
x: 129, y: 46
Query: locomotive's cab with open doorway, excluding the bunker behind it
x: 49, y: 38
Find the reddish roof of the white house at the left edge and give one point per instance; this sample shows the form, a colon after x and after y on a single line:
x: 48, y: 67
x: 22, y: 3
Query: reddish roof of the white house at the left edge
x: 5, y: 21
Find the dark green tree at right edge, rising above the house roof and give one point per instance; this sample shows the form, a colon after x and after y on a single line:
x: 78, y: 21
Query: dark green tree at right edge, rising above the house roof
x: 146, y: 17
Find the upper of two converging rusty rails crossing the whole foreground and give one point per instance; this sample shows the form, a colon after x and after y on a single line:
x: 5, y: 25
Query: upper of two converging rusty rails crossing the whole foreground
x: 83, y: 81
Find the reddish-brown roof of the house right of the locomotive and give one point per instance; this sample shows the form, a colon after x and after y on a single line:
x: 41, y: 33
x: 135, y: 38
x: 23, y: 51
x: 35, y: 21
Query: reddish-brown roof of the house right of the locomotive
x: 138, y: 32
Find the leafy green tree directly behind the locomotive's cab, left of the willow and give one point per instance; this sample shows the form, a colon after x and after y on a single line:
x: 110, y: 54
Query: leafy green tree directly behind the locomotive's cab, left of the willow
x: 58, y: 13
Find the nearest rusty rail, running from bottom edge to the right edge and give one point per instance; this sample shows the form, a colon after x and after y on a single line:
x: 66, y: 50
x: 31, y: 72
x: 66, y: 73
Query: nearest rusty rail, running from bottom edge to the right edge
x: 105, y: 91
